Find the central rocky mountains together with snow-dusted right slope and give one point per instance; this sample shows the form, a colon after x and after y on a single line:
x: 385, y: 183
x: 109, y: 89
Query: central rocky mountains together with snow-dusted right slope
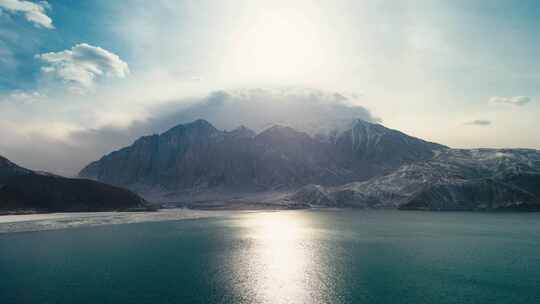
x: 363, y: 165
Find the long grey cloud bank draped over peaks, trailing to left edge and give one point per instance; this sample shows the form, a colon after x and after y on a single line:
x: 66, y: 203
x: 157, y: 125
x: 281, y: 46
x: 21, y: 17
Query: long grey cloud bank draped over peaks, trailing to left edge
x: 308, y: 110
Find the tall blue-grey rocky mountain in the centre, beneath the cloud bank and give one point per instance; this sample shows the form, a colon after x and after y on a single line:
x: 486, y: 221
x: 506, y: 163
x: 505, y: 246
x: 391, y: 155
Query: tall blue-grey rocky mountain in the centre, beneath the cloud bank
x: 198, y: 157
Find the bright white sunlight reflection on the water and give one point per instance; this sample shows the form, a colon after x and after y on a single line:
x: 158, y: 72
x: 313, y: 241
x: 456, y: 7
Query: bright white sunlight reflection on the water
x: 279, y: 266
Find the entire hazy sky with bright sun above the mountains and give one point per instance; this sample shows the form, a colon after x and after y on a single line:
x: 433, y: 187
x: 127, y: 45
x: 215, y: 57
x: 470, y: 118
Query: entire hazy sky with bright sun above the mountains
x: 462, y: 73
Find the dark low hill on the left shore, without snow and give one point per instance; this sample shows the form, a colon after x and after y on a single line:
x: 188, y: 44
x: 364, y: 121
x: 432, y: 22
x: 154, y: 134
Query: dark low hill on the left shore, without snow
x: 22, y: 190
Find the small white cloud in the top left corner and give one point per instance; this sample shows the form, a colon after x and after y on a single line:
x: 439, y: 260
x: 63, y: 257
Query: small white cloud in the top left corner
x: 34, y: 12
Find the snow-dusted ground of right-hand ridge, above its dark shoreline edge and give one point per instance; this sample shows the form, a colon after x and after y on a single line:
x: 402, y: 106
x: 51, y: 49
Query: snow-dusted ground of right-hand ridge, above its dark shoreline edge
x: 450, y: 169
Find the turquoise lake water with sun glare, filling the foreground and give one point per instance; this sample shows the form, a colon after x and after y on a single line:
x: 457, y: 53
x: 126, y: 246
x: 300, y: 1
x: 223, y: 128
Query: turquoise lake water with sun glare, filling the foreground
x: 281, y: 257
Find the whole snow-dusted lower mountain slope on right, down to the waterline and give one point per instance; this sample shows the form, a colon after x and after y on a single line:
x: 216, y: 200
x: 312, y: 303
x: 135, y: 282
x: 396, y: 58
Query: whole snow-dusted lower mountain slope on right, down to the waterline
x: 456, y: 179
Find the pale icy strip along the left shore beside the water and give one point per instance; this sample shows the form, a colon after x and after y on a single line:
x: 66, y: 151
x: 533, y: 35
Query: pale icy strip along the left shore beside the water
x: 37, y: 222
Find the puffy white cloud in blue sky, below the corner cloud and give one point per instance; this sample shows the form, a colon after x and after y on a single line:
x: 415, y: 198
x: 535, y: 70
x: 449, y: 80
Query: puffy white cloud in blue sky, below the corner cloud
x: 83, y: 64
